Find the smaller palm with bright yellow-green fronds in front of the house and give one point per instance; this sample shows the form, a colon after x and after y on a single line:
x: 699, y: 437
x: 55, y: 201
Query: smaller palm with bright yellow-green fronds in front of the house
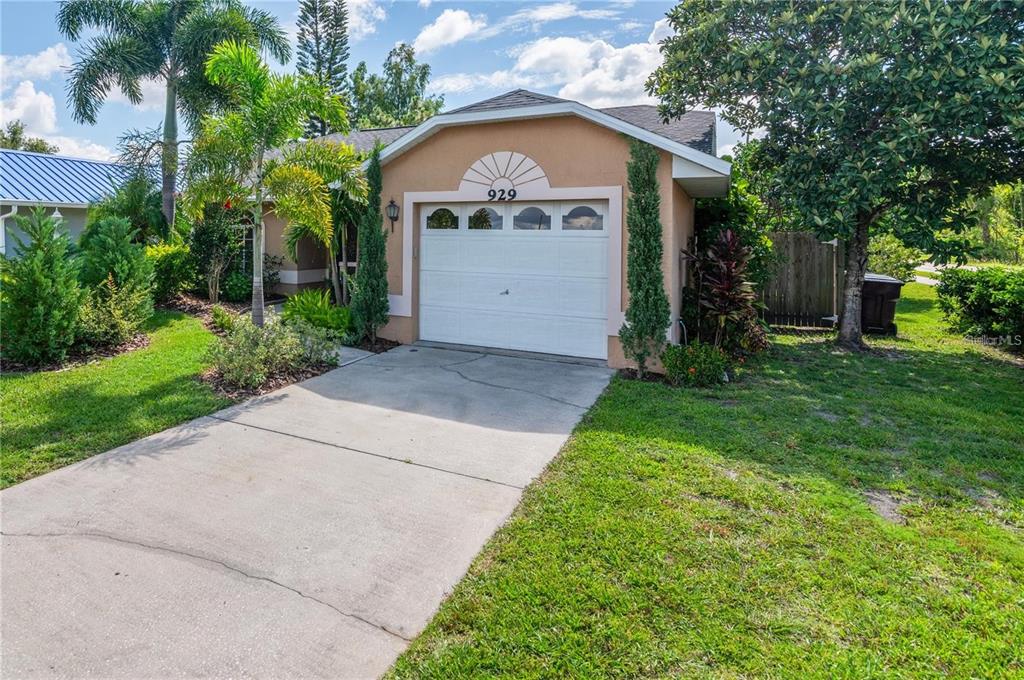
x: 231, y: 163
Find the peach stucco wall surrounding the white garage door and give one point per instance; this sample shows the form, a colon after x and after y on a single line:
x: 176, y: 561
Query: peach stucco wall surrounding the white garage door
x: 572, y: 152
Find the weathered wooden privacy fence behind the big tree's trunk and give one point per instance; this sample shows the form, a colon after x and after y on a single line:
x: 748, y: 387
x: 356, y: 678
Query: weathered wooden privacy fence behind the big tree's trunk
x: 808, y: 280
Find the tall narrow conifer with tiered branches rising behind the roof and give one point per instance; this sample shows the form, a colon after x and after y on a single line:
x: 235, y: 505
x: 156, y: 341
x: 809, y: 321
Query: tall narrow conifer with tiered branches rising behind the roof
x: 323, y: 51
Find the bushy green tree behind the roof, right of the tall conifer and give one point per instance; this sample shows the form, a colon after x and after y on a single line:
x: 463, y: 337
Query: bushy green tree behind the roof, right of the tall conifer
x: 398, y: 97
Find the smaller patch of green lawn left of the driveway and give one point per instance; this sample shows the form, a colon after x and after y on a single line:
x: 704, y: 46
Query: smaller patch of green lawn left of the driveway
x: 53, y: 419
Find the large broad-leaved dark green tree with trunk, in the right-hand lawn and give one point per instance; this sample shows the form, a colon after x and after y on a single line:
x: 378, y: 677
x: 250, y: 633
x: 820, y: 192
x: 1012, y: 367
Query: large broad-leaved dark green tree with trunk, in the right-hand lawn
x: 871, y: 111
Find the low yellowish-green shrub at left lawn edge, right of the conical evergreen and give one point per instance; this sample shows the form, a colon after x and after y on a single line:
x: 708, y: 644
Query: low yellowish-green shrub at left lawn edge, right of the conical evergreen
x: 113, y: 315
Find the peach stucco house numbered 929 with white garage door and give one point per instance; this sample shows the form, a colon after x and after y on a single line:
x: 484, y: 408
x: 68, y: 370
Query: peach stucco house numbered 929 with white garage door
x: 511, y: 227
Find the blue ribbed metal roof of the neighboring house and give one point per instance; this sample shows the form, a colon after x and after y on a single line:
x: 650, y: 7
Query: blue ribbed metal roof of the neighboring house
x: 48, y: 179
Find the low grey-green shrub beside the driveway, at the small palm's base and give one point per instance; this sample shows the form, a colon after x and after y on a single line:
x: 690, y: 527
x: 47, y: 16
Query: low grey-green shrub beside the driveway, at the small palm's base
x: 249, y: 356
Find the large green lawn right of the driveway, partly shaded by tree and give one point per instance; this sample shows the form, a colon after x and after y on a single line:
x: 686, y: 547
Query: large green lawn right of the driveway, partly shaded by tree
x: 726, y: 533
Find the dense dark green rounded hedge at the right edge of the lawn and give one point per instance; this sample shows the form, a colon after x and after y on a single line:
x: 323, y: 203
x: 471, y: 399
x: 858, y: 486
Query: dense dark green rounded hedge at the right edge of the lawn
x: 988, y: 303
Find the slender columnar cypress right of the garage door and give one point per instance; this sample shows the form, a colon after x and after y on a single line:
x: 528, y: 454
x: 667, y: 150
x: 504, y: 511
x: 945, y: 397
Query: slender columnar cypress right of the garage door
x: 648, y: 316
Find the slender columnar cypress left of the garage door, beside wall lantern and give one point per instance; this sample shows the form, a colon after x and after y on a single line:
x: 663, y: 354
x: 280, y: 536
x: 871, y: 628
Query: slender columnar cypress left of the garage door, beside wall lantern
x: 370, y: 305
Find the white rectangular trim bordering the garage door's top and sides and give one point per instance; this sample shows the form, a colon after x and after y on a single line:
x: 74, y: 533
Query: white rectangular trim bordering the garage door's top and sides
x: 402, y: 306
